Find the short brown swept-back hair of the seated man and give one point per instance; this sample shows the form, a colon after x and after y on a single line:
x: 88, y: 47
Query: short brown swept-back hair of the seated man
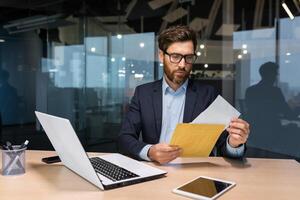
x: 176, y: 34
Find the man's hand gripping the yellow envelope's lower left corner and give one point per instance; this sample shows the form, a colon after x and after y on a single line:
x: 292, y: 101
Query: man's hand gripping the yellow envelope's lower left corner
x: 163, y: 153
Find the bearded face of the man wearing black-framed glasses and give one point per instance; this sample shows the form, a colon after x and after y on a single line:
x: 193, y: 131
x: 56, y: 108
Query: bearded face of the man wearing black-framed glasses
x: 177, y: 72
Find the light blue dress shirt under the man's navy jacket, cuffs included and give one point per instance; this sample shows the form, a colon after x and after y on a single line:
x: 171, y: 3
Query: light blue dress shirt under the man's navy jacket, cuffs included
x: 173, y: 110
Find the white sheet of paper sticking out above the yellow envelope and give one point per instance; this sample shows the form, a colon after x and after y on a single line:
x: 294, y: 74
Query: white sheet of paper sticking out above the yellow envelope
x: 219, y: 112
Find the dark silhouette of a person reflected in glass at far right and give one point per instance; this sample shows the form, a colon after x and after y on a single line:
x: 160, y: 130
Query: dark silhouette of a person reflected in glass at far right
x: 265, y: 107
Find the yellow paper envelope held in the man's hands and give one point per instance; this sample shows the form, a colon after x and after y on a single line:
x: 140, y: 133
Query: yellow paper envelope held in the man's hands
x: 196, y: 139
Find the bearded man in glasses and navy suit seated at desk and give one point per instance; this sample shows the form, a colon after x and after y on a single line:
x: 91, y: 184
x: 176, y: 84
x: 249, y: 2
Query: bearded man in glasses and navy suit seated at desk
x: 157, y: 107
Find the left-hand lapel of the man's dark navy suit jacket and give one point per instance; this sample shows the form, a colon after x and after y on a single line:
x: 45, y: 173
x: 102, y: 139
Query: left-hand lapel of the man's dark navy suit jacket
x: 157, y: 105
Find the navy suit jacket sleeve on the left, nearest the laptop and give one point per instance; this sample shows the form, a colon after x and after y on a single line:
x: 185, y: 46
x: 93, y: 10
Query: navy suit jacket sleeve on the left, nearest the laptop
x: 128, y: 140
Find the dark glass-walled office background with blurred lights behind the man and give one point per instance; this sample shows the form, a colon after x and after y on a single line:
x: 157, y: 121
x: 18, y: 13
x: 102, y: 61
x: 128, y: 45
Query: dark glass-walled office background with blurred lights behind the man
x: 82, y: 60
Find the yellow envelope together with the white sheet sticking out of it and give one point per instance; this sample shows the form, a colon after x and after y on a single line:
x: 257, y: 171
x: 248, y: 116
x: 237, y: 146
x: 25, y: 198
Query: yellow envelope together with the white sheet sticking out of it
x: 199, y: 137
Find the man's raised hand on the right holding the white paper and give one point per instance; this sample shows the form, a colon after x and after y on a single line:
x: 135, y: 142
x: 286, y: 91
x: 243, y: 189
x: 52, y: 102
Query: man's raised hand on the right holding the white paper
x: 238, y: 132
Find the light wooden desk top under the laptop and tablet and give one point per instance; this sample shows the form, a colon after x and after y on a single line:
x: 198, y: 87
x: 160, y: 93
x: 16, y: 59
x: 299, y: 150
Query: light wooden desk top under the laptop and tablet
x: 255, y: 178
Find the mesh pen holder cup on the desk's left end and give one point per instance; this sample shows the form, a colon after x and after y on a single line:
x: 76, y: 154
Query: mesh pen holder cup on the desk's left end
x: 13, y: 161
